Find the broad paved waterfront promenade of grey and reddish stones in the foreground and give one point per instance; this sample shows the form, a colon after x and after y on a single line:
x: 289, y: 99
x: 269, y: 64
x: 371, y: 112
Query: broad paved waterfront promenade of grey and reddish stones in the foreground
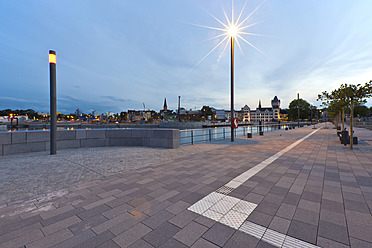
x: 295, y: 188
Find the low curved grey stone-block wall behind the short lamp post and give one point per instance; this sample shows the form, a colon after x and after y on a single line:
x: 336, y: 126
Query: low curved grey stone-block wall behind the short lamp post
x: 36, y: 141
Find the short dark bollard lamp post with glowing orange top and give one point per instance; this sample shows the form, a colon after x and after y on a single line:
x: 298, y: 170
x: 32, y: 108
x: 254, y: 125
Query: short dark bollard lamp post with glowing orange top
x: 53, y: 102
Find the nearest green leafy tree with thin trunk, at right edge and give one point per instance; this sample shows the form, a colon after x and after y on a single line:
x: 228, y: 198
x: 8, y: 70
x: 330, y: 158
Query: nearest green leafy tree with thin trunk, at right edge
x: 347, y: 95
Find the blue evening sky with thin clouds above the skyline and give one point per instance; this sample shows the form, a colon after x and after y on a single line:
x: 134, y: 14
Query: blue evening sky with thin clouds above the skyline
x: 115, y: 55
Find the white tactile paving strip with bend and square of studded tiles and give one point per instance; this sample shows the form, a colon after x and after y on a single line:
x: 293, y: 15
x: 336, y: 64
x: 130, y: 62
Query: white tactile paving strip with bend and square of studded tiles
x: 233, y: 212
